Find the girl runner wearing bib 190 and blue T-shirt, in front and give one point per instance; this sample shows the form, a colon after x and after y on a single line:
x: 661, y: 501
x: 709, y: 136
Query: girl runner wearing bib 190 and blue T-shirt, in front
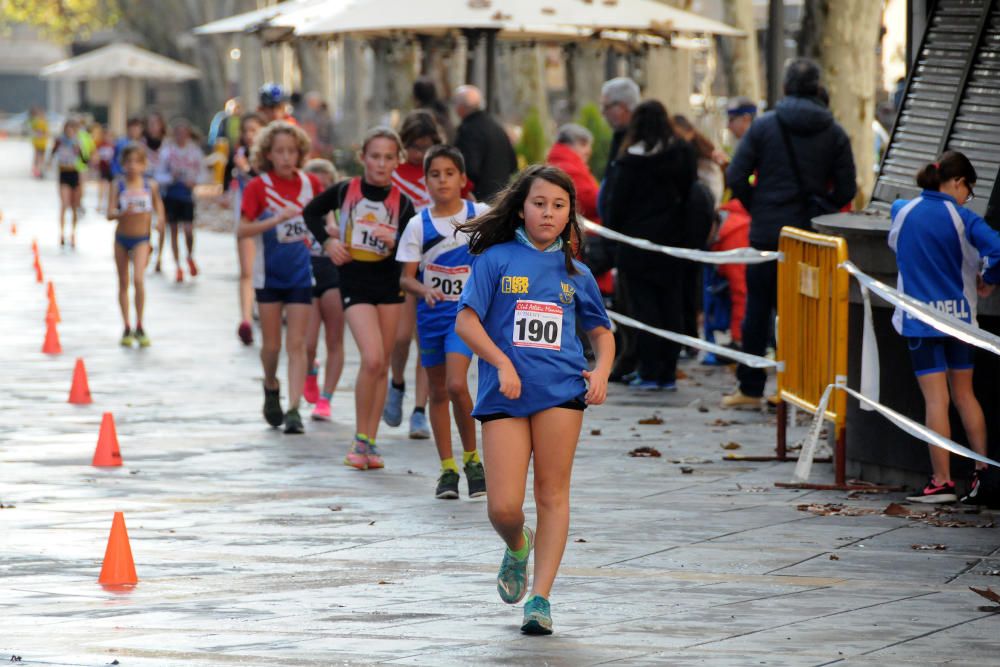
x: 519, y: 313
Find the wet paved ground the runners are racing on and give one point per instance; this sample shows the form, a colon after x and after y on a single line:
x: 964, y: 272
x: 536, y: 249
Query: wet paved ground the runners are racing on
x: 262, y: 549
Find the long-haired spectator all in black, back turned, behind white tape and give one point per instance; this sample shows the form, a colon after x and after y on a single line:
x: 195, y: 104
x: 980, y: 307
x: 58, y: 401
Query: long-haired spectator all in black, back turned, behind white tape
x: 652, y: 179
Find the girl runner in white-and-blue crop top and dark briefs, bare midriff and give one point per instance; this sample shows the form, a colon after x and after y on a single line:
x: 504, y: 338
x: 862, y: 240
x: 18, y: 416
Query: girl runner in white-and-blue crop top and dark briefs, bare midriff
x: 132, y: 199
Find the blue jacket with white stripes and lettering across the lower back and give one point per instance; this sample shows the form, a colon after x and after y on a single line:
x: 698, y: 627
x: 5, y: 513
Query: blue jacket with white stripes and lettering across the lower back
x: 940, y: 249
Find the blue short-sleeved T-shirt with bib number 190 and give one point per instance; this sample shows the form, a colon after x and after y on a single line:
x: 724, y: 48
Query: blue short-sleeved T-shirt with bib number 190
x: 530, y: 306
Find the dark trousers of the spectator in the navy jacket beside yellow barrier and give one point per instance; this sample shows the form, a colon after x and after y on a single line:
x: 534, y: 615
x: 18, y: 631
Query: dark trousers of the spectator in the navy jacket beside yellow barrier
x: 762, y: 300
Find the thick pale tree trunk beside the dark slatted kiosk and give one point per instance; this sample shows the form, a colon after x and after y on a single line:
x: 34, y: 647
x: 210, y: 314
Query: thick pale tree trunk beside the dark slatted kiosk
x: 849, y: 53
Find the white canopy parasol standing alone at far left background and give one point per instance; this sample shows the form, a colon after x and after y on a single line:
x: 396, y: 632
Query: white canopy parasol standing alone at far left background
x: 119, y: 62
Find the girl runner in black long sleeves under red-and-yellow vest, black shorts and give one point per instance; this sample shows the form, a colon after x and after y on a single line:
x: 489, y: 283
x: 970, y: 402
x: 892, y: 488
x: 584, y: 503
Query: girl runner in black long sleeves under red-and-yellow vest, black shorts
x: 371, y: 212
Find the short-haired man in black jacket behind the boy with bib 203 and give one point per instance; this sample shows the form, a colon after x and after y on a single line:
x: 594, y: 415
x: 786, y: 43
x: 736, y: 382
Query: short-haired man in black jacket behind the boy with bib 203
x: 490, y: 160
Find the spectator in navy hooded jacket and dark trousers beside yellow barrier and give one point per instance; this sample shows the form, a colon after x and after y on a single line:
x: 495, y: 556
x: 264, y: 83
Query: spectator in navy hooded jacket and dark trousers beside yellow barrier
x: 804, y: 167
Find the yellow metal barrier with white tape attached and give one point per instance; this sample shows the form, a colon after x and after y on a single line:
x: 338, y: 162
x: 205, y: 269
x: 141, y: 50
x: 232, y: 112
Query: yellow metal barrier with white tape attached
x: 812, y: 330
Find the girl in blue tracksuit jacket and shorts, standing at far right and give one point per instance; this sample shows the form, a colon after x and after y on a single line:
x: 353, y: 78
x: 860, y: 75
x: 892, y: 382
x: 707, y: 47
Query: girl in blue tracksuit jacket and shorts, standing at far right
x: 947, y: 255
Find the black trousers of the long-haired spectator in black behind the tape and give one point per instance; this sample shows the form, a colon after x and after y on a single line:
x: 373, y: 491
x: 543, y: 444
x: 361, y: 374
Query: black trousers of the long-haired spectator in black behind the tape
x: 658, y: 302
